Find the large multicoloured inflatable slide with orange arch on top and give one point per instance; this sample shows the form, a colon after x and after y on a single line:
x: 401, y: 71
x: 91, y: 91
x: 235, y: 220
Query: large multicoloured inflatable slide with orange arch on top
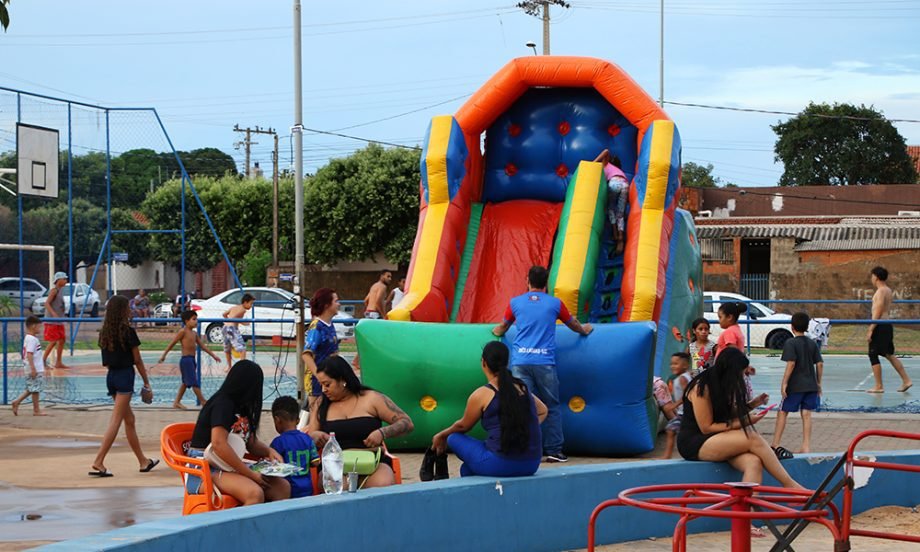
x: 509, y: 182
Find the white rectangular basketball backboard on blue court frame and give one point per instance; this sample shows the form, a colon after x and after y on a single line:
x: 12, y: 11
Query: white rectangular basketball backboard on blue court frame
x: 37, y: 152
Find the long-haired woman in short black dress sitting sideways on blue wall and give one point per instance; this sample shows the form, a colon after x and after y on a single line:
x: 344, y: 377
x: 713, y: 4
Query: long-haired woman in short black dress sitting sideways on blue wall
x: 717, y: 425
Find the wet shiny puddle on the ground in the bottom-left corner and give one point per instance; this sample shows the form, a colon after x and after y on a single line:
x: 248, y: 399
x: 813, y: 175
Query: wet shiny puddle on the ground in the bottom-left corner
x: 60, y: 514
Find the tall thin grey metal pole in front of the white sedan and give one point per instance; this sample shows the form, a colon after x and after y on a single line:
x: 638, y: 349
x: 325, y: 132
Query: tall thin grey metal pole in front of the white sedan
x: 297, y: 132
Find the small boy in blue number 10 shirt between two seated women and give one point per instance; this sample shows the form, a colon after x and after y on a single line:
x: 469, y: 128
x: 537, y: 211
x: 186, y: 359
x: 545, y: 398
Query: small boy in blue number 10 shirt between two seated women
x: 295, y: 446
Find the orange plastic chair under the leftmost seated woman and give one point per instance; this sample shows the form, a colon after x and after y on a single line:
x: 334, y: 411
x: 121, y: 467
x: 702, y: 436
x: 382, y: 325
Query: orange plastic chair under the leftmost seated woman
x: 174, y: 441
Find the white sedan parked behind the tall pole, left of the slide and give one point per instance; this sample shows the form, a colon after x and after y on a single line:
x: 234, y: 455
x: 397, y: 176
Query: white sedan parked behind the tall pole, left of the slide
x: 271, y: 303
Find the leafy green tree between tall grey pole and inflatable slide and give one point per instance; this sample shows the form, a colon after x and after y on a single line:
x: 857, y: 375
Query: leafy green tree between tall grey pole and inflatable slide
x: 362, y: 205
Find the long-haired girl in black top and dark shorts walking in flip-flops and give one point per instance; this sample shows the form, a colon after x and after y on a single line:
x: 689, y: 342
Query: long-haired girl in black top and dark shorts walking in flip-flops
x: 121, y: 355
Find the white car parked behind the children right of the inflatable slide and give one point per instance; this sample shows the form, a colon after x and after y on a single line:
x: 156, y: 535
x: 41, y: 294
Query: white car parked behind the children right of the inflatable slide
x: 770, y: 336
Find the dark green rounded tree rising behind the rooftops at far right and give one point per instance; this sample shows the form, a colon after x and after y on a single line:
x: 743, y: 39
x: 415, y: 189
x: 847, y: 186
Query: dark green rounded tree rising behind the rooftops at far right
x: 841, y: 145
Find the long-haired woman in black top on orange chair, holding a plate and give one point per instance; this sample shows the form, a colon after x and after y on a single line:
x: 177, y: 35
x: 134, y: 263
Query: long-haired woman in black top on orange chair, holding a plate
x: 236, y: 408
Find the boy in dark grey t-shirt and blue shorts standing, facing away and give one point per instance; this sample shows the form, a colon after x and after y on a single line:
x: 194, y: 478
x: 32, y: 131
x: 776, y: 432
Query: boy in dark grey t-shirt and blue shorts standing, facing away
x: 801, y: 387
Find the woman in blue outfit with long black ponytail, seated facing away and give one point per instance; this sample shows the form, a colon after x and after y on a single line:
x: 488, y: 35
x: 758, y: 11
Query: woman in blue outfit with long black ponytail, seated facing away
x: 511, y: 416
